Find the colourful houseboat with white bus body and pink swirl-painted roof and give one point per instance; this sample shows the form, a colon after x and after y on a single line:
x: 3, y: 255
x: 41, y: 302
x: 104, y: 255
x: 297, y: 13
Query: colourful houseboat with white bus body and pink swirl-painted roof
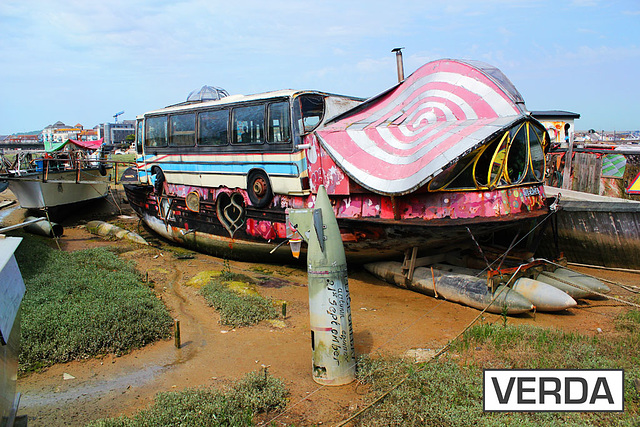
x: 448, y: 156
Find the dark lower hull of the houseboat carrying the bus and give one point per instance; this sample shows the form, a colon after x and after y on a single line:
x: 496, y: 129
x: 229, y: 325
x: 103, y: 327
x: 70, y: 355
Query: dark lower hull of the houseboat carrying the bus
x: 364, y: 239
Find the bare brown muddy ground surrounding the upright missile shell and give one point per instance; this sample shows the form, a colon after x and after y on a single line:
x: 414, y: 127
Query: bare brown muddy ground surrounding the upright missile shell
x: 386, y: 321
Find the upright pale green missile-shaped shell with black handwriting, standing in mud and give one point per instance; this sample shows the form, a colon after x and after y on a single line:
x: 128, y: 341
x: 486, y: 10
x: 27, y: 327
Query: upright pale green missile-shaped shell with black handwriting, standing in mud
x: 333, y: 359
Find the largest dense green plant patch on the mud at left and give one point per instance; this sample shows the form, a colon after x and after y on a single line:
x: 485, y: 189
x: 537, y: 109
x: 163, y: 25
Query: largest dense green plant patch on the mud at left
x: 83, y: 304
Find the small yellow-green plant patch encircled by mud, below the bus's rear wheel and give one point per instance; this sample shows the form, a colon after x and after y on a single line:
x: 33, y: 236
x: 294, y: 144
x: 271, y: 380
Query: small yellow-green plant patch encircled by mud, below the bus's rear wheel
x: 237, y: 308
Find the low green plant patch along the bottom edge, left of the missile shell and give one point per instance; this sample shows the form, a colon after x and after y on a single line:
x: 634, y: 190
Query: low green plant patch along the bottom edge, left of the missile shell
x: 256, y: 393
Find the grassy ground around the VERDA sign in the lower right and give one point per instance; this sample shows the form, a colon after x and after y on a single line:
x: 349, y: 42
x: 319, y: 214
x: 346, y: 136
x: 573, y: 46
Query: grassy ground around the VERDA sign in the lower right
x: 449, y: 391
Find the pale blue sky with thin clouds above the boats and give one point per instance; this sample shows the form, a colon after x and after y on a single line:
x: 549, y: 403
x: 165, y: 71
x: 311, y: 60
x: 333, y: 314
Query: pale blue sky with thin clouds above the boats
x: 82, y: 61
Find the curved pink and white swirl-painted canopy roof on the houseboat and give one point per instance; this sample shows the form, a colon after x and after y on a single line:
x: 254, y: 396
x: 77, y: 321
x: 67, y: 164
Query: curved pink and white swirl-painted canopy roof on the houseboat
x: 396, y: 142
